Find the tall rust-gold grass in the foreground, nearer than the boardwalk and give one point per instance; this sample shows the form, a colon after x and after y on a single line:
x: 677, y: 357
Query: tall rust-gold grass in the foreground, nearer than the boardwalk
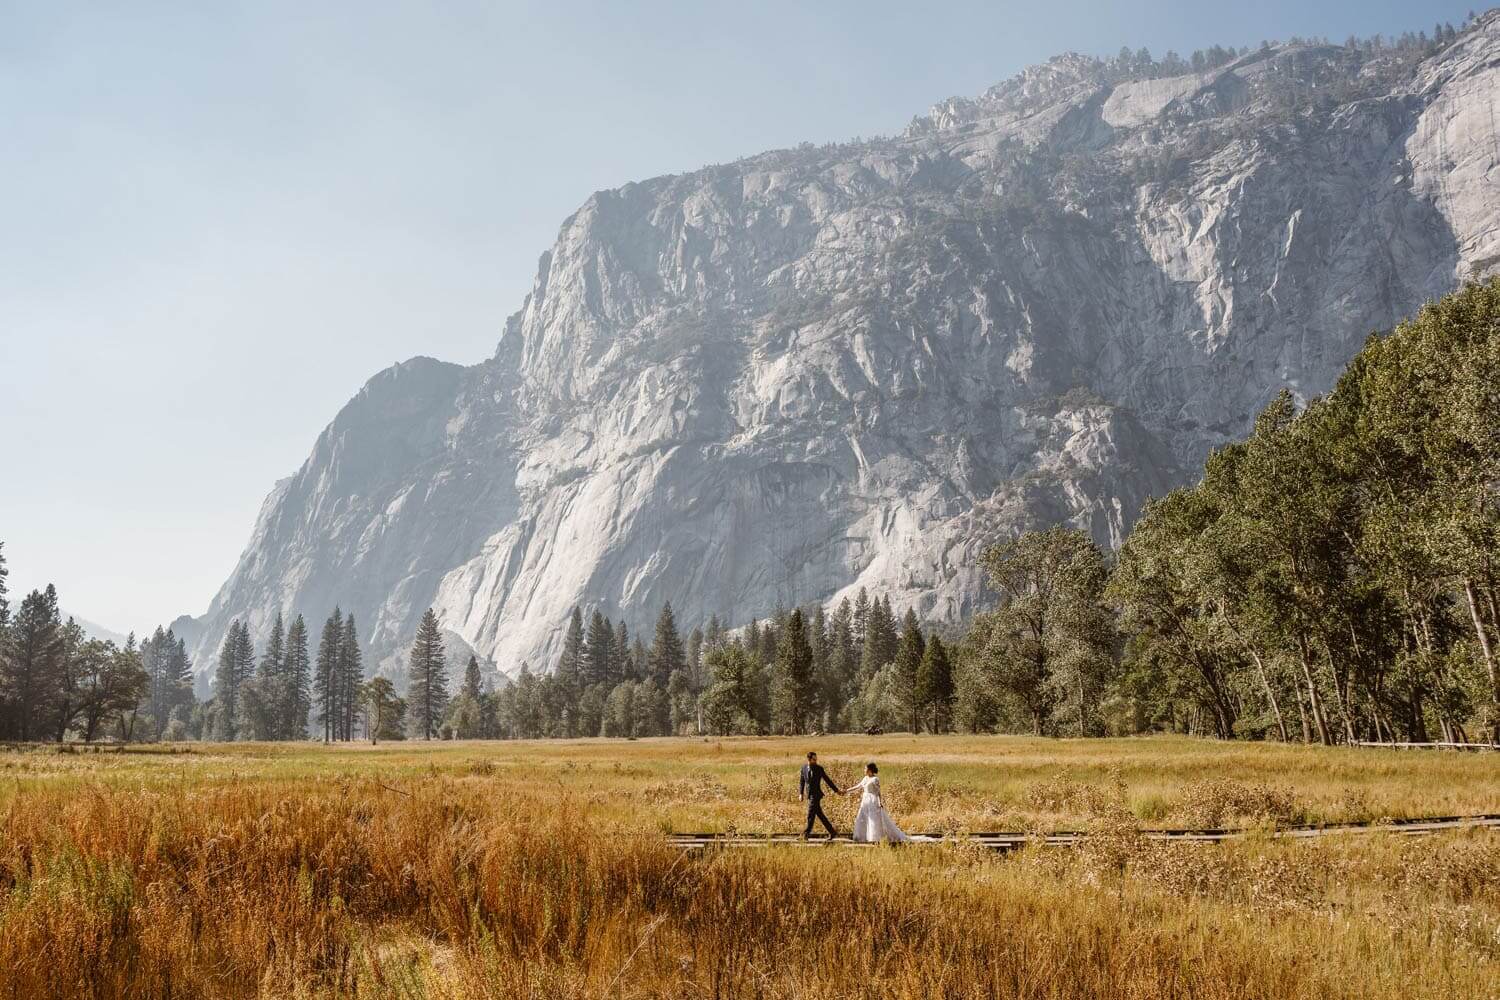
x: 485, y: 884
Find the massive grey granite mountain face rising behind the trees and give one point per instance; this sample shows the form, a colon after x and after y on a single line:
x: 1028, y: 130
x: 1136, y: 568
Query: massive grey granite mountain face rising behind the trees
x: 818, y: 370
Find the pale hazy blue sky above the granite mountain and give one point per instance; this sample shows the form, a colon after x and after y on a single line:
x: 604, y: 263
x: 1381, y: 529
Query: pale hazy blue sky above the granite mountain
x: 220, y: 220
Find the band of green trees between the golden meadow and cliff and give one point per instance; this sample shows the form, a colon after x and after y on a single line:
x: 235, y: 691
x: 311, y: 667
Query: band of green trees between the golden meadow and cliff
x: 1331, y: 579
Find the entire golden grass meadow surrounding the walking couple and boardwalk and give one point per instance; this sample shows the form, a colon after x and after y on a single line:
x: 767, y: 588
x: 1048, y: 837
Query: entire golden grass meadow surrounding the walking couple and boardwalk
x: 539, y: 870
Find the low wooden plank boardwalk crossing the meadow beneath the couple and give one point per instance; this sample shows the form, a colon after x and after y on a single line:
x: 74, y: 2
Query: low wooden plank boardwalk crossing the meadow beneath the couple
x: 1069, y: 839
